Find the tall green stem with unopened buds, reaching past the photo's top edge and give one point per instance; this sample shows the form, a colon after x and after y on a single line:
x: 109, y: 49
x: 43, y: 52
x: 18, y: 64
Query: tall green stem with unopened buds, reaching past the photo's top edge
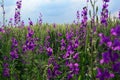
x: 93, y: 25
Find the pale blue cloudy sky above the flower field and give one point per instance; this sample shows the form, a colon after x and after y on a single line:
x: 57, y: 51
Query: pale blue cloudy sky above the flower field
x: 53, y: 11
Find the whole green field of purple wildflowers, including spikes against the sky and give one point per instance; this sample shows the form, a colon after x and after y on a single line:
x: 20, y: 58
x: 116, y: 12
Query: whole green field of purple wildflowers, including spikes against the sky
x: 82, y: 50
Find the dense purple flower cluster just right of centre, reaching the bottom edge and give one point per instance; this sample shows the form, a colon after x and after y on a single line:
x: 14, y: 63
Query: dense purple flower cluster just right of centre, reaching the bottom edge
x: 71, y: 55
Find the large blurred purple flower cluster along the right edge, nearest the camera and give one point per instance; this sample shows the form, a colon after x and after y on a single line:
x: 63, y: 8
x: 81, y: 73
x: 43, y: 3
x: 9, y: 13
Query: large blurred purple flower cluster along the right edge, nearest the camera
x: 111, y: 57
